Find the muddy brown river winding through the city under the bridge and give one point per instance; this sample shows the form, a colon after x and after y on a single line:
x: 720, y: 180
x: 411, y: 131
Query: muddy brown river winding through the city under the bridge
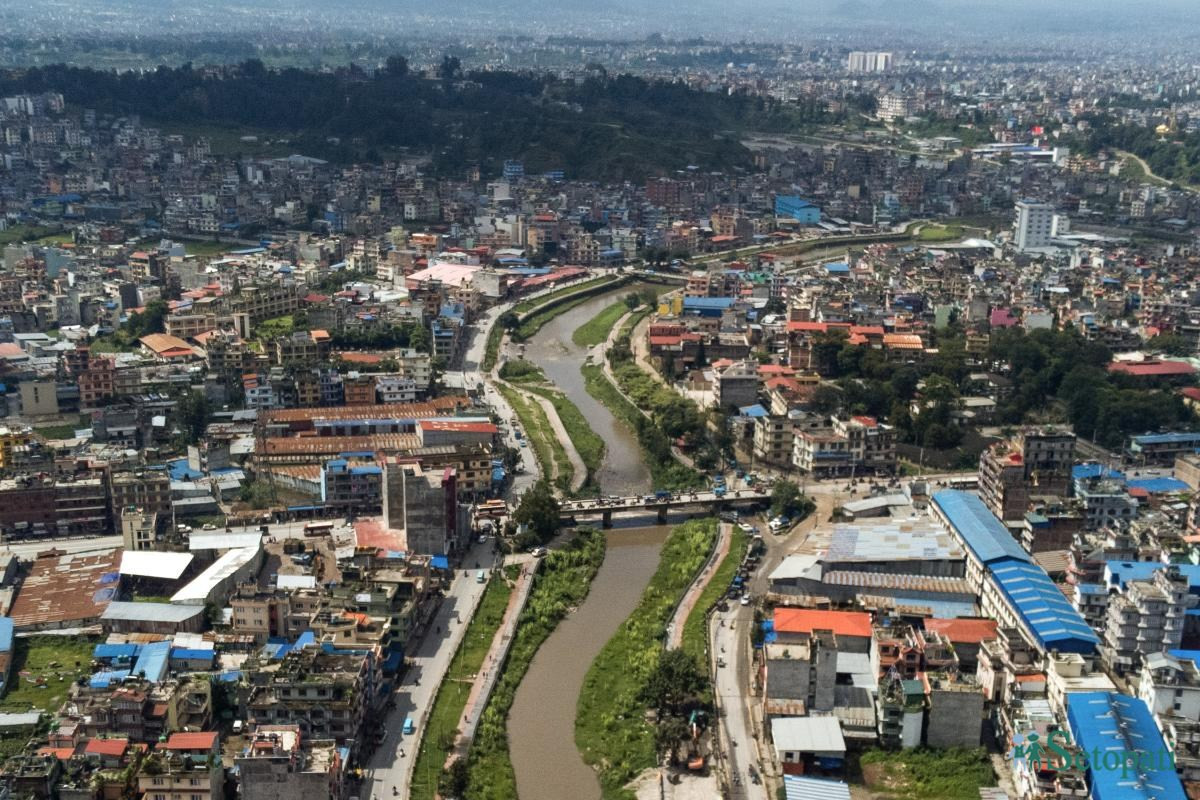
x: 542, y: 725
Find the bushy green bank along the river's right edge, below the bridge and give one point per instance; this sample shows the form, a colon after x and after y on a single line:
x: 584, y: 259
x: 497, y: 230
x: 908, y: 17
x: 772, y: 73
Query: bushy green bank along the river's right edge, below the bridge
x: 610, y: 724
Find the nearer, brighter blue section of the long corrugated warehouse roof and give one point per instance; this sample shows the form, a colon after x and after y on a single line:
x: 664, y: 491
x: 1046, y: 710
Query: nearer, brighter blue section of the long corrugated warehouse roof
x: 1053, y: 622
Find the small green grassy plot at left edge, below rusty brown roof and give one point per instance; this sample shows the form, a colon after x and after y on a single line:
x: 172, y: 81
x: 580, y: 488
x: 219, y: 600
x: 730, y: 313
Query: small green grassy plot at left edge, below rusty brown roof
x: 43, y: 671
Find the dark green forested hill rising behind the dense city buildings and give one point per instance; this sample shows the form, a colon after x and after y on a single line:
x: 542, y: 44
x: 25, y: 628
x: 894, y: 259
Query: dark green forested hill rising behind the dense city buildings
x: 607, y: 128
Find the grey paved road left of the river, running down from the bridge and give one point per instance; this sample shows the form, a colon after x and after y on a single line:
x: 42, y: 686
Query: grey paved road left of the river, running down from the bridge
x: 392, y: 765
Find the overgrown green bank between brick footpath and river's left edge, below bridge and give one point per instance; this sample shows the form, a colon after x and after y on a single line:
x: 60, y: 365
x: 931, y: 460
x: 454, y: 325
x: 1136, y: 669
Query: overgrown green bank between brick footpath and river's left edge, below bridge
x: 562, y: 585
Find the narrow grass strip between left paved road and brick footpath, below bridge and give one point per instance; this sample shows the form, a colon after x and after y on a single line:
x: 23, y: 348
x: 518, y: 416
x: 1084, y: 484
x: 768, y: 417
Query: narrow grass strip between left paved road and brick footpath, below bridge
x: 442, y: 729
